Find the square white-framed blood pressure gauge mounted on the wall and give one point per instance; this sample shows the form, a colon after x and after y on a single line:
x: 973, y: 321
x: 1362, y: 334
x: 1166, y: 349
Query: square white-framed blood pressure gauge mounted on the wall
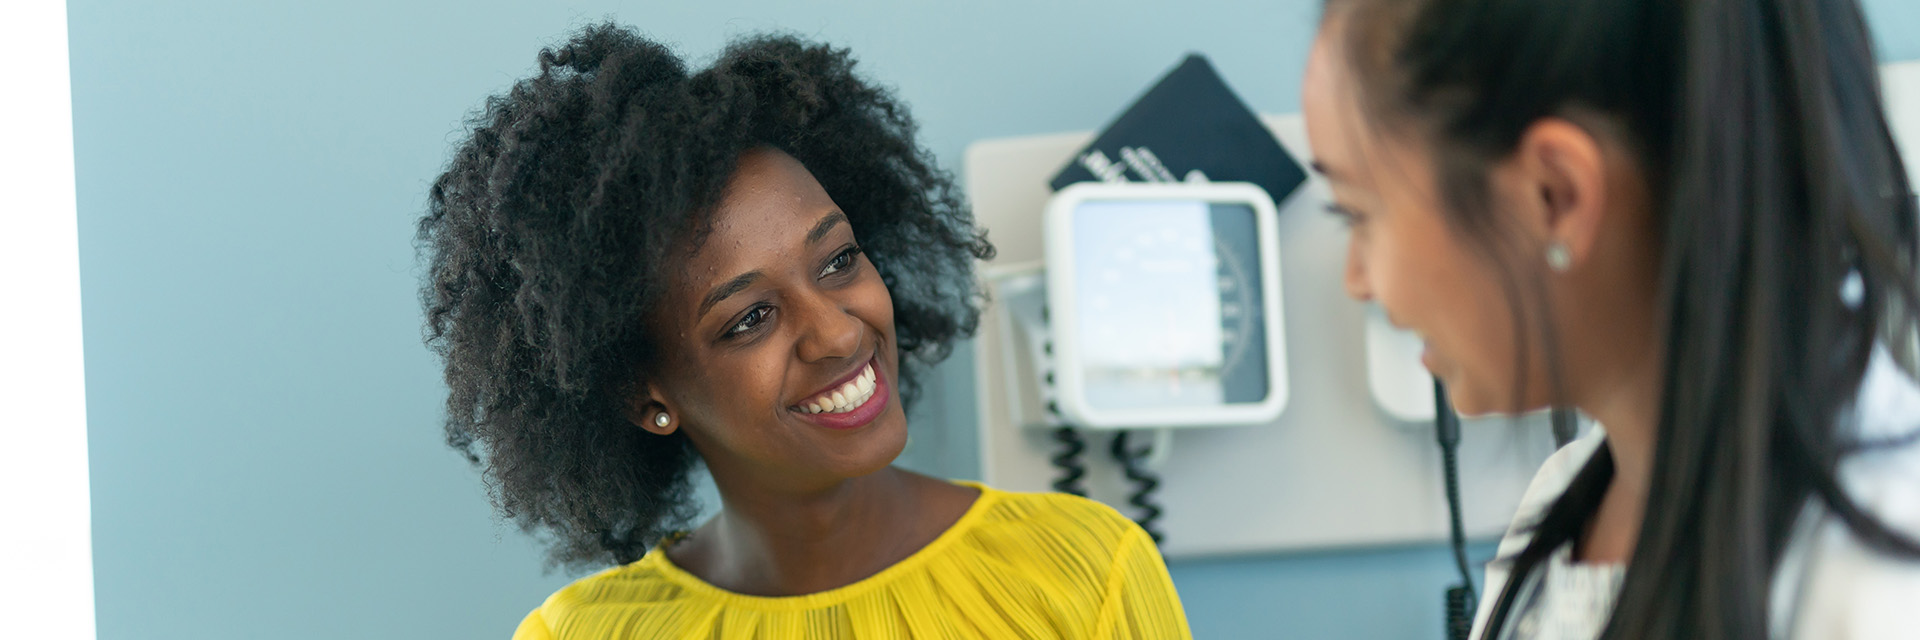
x: 1164, y: 305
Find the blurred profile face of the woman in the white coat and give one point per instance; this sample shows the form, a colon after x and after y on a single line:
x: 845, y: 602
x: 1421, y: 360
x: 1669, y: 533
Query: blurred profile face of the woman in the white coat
x: 1403, y: 255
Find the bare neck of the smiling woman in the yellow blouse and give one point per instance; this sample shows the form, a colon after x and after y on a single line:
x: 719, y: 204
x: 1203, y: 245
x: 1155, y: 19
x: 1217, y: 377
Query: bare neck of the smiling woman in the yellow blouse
x: 773, y: 541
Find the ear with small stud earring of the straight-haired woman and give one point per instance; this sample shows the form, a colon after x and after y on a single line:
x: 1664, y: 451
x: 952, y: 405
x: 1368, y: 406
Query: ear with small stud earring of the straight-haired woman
x: 1564, y: 170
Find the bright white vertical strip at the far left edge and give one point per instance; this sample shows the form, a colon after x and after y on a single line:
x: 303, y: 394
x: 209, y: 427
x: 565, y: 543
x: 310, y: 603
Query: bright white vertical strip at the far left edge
x: 47, y: 541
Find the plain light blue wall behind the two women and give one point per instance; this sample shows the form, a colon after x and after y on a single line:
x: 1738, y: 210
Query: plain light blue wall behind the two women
x: 264, y: 422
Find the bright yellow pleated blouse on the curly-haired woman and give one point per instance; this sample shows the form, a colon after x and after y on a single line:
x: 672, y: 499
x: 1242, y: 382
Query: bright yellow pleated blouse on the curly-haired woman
x: 1017, y: 566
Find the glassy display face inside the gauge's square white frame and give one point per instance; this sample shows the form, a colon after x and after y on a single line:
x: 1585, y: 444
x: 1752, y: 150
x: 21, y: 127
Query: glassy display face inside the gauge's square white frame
x: 1170, y: 305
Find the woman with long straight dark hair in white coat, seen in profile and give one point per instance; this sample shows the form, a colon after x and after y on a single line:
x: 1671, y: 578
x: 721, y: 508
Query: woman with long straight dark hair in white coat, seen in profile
x: 1689, y: 222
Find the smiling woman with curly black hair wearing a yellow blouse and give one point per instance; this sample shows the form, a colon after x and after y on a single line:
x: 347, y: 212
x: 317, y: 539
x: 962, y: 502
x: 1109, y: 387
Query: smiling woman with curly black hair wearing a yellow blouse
x: 636, y: 268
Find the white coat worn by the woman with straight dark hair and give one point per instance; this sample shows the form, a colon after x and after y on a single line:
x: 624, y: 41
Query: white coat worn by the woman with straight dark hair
x: 1829, y: 587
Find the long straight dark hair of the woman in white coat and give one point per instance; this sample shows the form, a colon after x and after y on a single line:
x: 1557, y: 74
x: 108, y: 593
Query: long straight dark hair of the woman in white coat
x: 1787, y: 230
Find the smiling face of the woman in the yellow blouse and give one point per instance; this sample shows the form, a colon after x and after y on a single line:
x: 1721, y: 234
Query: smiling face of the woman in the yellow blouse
x: 779, y: 339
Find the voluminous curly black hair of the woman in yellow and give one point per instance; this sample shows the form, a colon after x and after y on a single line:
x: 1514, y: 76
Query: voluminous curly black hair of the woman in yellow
x: 548, y: 235
